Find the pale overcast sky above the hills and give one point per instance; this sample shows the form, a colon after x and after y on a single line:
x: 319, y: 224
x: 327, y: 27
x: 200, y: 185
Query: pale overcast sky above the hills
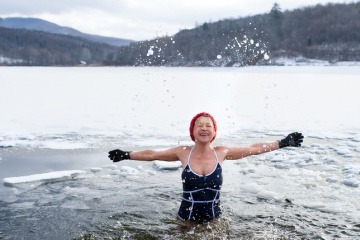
x: 142, y: 19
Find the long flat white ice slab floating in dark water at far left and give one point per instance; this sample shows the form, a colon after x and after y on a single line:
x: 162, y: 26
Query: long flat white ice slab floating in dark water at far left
x: 57, y: 176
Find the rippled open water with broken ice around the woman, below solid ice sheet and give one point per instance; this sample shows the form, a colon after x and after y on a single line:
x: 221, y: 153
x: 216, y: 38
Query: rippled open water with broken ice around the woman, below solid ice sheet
x: 132, y: 200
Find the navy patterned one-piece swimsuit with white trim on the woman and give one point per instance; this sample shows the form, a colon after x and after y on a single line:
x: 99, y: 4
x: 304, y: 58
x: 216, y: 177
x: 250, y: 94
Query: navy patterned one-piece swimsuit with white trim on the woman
x: 201, y: 193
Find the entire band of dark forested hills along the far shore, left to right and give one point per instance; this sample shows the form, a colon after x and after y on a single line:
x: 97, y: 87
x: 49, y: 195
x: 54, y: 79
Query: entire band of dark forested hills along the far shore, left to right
x: 327, y: 32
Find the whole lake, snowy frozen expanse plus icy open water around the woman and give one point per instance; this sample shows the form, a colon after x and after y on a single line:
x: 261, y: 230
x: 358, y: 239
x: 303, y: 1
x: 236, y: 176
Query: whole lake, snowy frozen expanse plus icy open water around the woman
x: 68, y: 118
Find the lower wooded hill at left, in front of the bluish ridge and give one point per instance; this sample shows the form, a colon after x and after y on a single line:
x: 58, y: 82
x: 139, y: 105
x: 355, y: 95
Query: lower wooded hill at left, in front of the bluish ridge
x: 37, y: 48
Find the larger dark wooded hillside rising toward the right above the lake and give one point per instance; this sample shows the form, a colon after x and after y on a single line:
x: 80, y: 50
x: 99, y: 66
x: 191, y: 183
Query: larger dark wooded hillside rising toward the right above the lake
x: 330, y: 32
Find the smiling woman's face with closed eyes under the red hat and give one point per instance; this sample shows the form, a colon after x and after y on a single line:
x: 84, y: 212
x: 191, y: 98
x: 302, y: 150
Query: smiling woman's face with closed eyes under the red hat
x: 204, y: 129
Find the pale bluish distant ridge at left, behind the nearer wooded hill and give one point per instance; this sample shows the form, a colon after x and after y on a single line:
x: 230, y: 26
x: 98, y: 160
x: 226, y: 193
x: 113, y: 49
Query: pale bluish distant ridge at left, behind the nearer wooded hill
x: 42, y: 25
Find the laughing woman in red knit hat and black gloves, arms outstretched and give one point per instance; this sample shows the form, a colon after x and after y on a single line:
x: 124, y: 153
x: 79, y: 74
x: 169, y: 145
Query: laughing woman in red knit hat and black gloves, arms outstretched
x: 202, y: 172
